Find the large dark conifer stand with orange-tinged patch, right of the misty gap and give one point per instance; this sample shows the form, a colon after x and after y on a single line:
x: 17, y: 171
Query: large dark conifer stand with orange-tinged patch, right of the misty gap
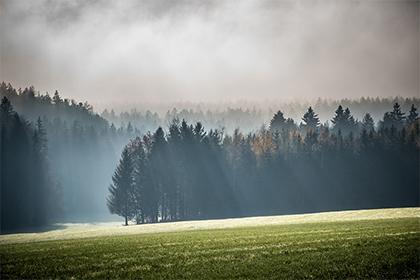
x: 189, y: 173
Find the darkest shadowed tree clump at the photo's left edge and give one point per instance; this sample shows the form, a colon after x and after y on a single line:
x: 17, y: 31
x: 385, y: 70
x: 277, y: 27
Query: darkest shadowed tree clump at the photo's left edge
x: 29, y: 195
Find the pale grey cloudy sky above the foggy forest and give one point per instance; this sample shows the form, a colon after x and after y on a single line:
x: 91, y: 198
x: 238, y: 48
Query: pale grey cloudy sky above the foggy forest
x: 153, y: 51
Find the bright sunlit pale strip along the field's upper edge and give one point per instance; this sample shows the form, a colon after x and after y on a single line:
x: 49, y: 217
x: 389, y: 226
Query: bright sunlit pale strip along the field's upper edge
x: 71, y: 231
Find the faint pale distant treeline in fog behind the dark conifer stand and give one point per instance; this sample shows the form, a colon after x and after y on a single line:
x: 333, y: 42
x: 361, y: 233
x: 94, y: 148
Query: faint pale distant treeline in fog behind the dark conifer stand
x: 250, y: 117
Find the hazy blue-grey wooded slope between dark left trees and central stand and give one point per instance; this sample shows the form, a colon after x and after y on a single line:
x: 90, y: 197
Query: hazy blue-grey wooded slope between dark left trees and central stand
x: 83, y: 148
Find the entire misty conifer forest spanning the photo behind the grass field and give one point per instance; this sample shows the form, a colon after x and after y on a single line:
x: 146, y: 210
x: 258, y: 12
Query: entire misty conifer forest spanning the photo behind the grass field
x: 58, y: 158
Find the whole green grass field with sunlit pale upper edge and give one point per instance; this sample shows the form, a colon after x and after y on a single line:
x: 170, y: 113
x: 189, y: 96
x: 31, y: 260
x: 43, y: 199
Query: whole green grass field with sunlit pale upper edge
x: 361, y: 244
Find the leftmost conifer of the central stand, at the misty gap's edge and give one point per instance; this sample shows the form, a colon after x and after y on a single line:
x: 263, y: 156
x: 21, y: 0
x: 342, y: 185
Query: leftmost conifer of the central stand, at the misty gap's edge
x: 120, y: 199
